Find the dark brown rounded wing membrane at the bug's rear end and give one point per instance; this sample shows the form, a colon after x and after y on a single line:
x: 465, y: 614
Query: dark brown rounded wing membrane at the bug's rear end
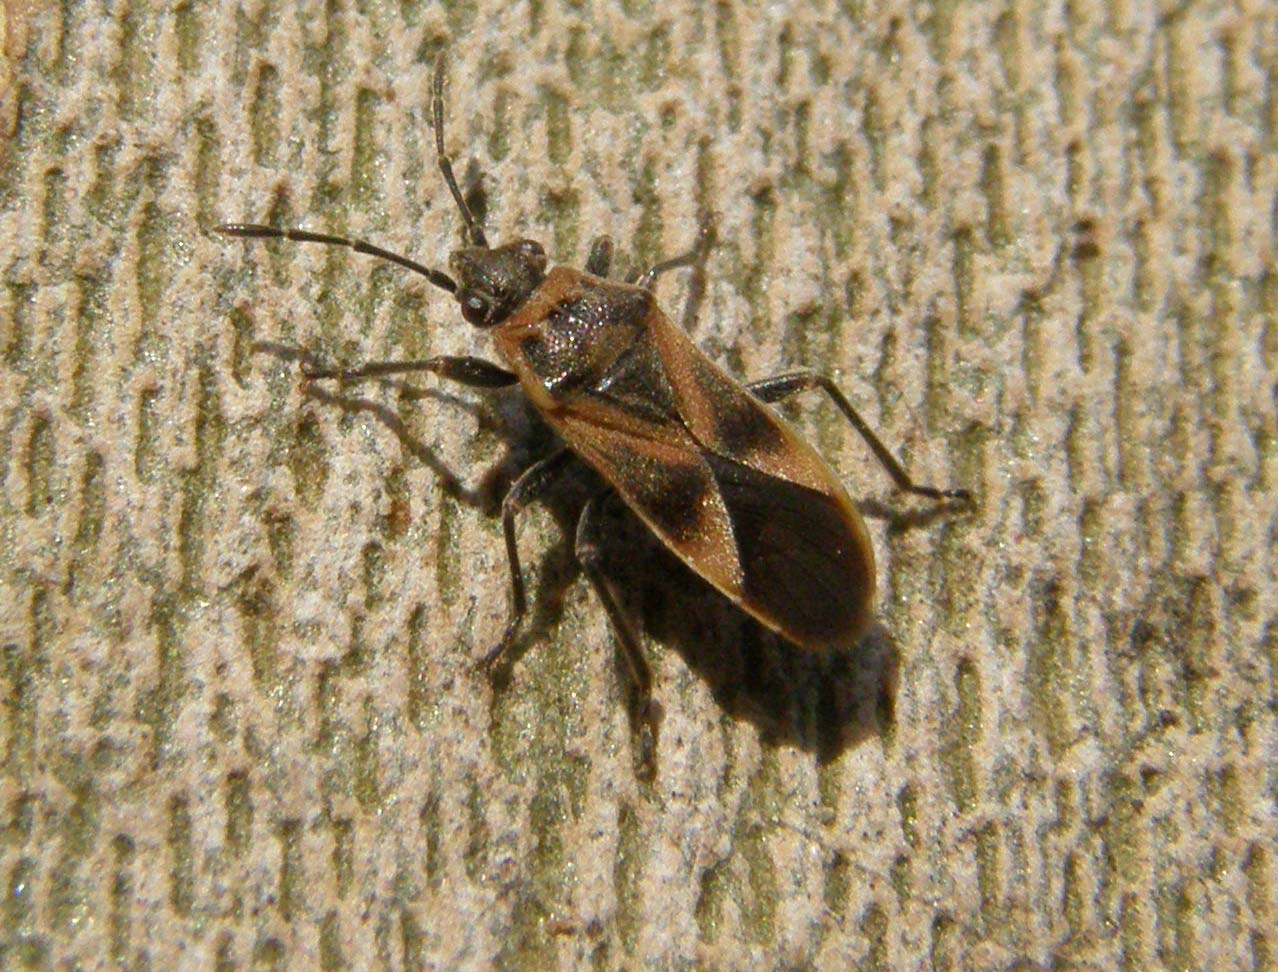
x: 803, y: 565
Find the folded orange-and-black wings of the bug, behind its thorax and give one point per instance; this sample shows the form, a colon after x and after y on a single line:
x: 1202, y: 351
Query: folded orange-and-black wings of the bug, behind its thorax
x: 735, y: 492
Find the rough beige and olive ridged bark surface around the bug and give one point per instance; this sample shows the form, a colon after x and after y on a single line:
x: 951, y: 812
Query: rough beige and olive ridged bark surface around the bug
x: 241, y: 722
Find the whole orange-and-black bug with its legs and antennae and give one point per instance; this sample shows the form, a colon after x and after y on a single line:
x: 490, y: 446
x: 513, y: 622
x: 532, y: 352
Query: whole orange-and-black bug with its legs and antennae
x: 715, y: 473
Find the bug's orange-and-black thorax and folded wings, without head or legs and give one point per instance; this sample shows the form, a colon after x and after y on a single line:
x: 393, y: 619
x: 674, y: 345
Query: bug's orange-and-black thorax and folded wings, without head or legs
x: 715, y: 473
